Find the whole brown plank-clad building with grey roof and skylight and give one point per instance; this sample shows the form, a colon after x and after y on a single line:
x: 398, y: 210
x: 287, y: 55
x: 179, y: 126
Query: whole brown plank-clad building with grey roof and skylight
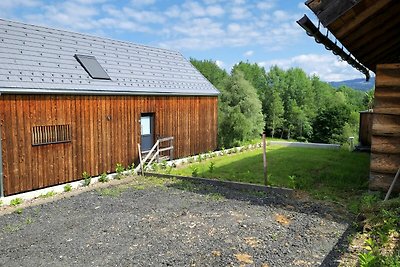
x: 71, y: 103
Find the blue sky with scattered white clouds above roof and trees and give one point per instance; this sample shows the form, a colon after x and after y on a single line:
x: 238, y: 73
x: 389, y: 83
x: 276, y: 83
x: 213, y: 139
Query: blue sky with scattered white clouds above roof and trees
x: 226, y: 31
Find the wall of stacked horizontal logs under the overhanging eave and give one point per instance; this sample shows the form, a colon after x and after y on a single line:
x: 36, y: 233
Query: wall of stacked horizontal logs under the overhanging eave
x: 385, y: 150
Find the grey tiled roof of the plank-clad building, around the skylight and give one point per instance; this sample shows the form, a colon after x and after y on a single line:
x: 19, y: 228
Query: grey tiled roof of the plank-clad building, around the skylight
x: 36, y: 59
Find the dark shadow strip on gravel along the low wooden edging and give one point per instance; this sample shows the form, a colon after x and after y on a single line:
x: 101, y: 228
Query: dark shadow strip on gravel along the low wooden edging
x: 273, y: 197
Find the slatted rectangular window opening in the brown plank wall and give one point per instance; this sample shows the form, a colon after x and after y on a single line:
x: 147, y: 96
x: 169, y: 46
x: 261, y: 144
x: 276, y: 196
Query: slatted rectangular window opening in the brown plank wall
x: 51, y: 134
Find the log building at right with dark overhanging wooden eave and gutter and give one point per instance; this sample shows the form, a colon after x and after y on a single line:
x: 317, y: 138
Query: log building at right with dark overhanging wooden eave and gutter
x: 370, y: 32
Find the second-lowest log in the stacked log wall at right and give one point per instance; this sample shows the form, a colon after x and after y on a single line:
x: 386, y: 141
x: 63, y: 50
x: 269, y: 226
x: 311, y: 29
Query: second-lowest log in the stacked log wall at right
x: 385, y: 163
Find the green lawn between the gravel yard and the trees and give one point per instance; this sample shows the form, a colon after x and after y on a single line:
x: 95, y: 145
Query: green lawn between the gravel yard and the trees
x: 336, y: 175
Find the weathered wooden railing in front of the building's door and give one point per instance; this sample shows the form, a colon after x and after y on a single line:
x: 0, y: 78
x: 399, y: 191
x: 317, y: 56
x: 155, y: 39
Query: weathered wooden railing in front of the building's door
x: 163, y: 149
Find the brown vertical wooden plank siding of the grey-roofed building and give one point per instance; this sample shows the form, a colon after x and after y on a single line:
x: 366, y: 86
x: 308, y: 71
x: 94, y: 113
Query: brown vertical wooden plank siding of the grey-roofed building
x: 105, y: 131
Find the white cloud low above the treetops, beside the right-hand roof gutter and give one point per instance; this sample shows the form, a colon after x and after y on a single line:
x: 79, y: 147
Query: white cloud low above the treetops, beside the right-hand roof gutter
x: 327, y: 67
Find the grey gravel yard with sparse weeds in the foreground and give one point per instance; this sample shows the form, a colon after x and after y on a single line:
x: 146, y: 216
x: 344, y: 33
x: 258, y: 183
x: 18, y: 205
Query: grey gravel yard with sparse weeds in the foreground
x: 158, y: 222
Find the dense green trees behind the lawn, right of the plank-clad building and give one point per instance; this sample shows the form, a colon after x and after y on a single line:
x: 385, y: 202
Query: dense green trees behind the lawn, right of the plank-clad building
x: 285, y: 104
